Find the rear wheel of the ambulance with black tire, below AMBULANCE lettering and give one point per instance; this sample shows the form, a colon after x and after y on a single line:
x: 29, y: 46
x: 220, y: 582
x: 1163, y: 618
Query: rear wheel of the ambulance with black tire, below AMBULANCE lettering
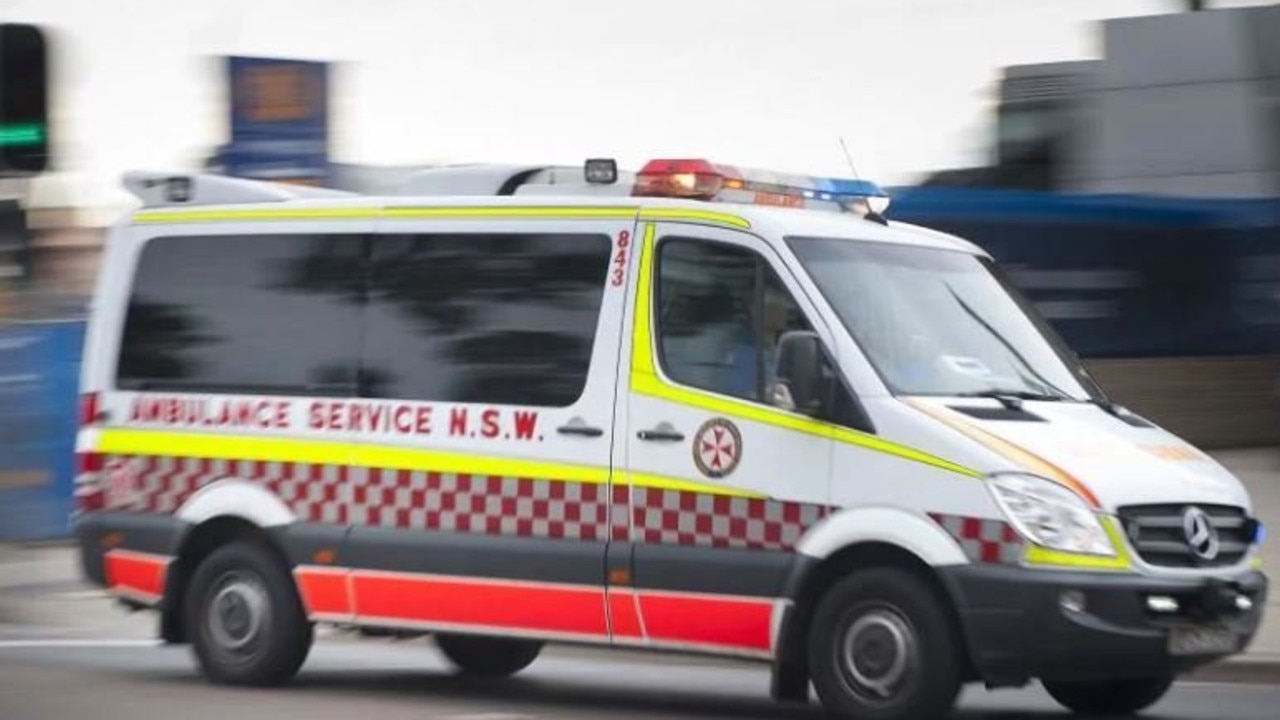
x: 245, y: 619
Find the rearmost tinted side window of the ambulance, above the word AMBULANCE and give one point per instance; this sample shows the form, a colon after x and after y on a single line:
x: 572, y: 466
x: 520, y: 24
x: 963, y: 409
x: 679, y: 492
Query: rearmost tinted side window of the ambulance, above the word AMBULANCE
x: 252, y: 315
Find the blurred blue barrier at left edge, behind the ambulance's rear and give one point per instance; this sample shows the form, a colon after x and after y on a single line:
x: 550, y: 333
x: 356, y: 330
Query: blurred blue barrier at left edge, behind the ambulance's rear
x: 39, y: 379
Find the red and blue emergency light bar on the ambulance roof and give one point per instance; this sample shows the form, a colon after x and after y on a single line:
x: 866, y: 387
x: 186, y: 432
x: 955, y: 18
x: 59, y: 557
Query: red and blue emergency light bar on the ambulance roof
x: 701, y: 180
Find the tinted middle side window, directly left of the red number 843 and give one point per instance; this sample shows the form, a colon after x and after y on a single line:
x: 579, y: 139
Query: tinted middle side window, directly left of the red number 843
x: 505, y: 320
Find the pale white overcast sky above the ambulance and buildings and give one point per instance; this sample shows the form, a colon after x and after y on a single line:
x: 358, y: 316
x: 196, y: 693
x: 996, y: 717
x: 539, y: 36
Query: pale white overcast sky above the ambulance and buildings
x: 752, y: 83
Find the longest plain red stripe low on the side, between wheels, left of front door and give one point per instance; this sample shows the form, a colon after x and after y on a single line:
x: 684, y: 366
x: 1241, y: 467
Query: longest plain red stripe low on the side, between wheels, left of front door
x: 465, y: 603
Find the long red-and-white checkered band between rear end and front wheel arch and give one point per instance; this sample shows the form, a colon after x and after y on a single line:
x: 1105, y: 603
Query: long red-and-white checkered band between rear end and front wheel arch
x: 478, y: 504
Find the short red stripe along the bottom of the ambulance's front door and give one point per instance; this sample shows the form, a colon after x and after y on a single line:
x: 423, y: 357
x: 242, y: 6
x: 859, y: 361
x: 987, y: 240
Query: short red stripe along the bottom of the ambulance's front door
x: 715, y: 622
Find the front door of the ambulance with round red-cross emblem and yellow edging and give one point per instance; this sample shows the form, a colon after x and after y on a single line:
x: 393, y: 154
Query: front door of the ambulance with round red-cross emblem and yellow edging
x: 723, y: 484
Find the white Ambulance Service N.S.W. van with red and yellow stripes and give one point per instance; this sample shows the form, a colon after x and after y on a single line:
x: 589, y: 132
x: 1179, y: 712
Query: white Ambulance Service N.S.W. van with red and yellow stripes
x: 691, y: 409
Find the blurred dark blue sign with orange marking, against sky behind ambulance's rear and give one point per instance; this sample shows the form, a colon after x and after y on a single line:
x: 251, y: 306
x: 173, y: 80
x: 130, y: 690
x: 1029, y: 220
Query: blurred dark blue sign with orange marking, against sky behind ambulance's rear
x: 280, y: 121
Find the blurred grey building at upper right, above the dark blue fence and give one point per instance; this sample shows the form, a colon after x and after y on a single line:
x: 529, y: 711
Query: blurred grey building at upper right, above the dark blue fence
x: 1183, y: 104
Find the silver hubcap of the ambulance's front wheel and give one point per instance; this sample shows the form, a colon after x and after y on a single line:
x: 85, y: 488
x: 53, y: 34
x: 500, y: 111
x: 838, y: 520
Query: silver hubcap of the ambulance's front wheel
x: 879, y: 653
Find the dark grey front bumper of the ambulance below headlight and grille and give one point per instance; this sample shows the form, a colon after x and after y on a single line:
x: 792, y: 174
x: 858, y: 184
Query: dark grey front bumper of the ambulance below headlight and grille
x: 1017, y: 627
